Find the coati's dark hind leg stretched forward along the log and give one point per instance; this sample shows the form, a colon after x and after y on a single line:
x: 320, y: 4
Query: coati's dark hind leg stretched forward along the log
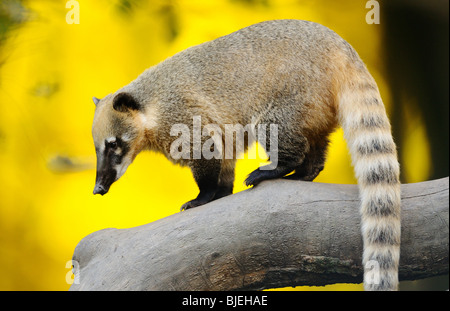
x: 290, y: 156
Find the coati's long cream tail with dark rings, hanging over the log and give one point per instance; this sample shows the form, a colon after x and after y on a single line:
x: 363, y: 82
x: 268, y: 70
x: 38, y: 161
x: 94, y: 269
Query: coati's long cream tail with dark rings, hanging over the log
x: 368, y: 134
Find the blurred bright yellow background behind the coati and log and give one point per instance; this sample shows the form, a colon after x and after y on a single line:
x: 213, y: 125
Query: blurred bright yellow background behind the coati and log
x: 49, y: 72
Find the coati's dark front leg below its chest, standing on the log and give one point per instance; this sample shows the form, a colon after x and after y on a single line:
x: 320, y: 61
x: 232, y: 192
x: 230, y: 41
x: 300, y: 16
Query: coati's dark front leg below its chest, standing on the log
x: 206, y: 174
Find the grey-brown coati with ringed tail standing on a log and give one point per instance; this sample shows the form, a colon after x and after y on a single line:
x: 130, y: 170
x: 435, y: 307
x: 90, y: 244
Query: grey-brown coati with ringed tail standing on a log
x: 297, y: 74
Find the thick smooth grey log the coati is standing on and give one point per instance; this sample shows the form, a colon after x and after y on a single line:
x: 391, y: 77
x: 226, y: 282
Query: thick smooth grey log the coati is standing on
x: 281, y: 233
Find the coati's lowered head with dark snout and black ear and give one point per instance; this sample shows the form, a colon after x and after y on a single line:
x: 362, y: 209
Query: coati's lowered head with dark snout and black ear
x: 118, y: 137
